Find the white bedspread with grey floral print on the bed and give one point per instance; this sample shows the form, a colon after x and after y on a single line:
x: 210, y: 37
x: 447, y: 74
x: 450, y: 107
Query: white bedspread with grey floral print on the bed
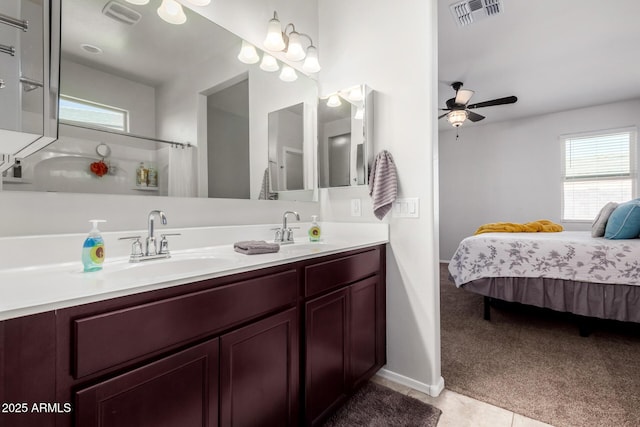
x: 571, y: 255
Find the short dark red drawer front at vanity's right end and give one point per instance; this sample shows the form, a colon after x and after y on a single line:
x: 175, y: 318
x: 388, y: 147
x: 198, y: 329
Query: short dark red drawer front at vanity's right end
x: 332, y: 274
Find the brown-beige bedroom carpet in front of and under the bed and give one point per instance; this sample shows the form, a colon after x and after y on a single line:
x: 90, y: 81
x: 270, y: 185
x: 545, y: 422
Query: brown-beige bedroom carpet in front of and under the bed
x: 533, y: 362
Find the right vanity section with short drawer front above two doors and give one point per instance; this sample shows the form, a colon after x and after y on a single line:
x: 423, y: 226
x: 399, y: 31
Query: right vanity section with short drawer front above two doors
x: 345, y: 337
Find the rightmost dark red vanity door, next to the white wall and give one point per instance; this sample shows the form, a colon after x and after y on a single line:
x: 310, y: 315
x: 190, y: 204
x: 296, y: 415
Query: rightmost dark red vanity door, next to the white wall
x: 365, y: 338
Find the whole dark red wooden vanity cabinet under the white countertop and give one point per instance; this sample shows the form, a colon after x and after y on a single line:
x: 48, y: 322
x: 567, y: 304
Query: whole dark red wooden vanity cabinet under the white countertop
x: 278, y: 344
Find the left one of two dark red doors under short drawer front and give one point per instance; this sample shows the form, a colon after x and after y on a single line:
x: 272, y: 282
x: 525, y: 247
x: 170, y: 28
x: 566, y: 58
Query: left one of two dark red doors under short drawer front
x: 327, y: 337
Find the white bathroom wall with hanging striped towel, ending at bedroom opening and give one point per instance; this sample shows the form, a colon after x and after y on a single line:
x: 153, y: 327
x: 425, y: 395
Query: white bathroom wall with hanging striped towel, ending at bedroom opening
x: 365, y: 42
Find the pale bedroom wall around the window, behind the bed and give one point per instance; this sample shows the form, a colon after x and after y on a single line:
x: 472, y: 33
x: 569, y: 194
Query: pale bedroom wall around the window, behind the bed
x: 510, y: 171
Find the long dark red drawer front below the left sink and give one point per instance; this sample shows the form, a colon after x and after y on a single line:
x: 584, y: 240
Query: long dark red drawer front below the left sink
x: 110, y: 339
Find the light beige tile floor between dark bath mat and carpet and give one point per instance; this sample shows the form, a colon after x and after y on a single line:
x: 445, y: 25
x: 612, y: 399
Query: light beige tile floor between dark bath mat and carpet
x: 462, y: 411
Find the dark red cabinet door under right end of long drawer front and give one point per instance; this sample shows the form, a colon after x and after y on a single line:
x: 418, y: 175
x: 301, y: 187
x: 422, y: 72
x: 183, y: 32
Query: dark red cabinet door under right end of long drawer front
x: 259, y: 373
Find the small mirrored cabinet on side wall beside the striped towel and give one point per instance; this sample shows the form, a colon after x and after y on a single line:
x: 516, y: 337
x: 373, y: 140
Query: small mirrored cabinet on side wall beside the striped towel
x: 345, y: 137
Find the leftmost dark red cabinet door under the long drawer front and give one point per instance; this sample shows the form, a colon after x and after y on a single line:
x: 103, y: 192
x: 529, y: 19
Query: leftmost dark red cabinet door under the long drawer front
x: 178, y: 391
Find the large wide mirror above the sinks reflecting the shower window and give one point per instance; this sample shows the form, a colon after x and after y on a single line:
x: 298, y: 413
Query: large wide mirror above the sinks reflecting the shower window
x: 152, y: 108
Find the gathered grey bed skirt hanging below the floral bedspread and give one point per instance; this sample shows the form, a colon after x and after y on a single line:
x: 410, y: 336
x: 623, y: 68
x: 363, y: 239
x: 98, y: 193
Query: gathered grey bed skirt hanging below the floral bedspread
x: 605, y: 301
